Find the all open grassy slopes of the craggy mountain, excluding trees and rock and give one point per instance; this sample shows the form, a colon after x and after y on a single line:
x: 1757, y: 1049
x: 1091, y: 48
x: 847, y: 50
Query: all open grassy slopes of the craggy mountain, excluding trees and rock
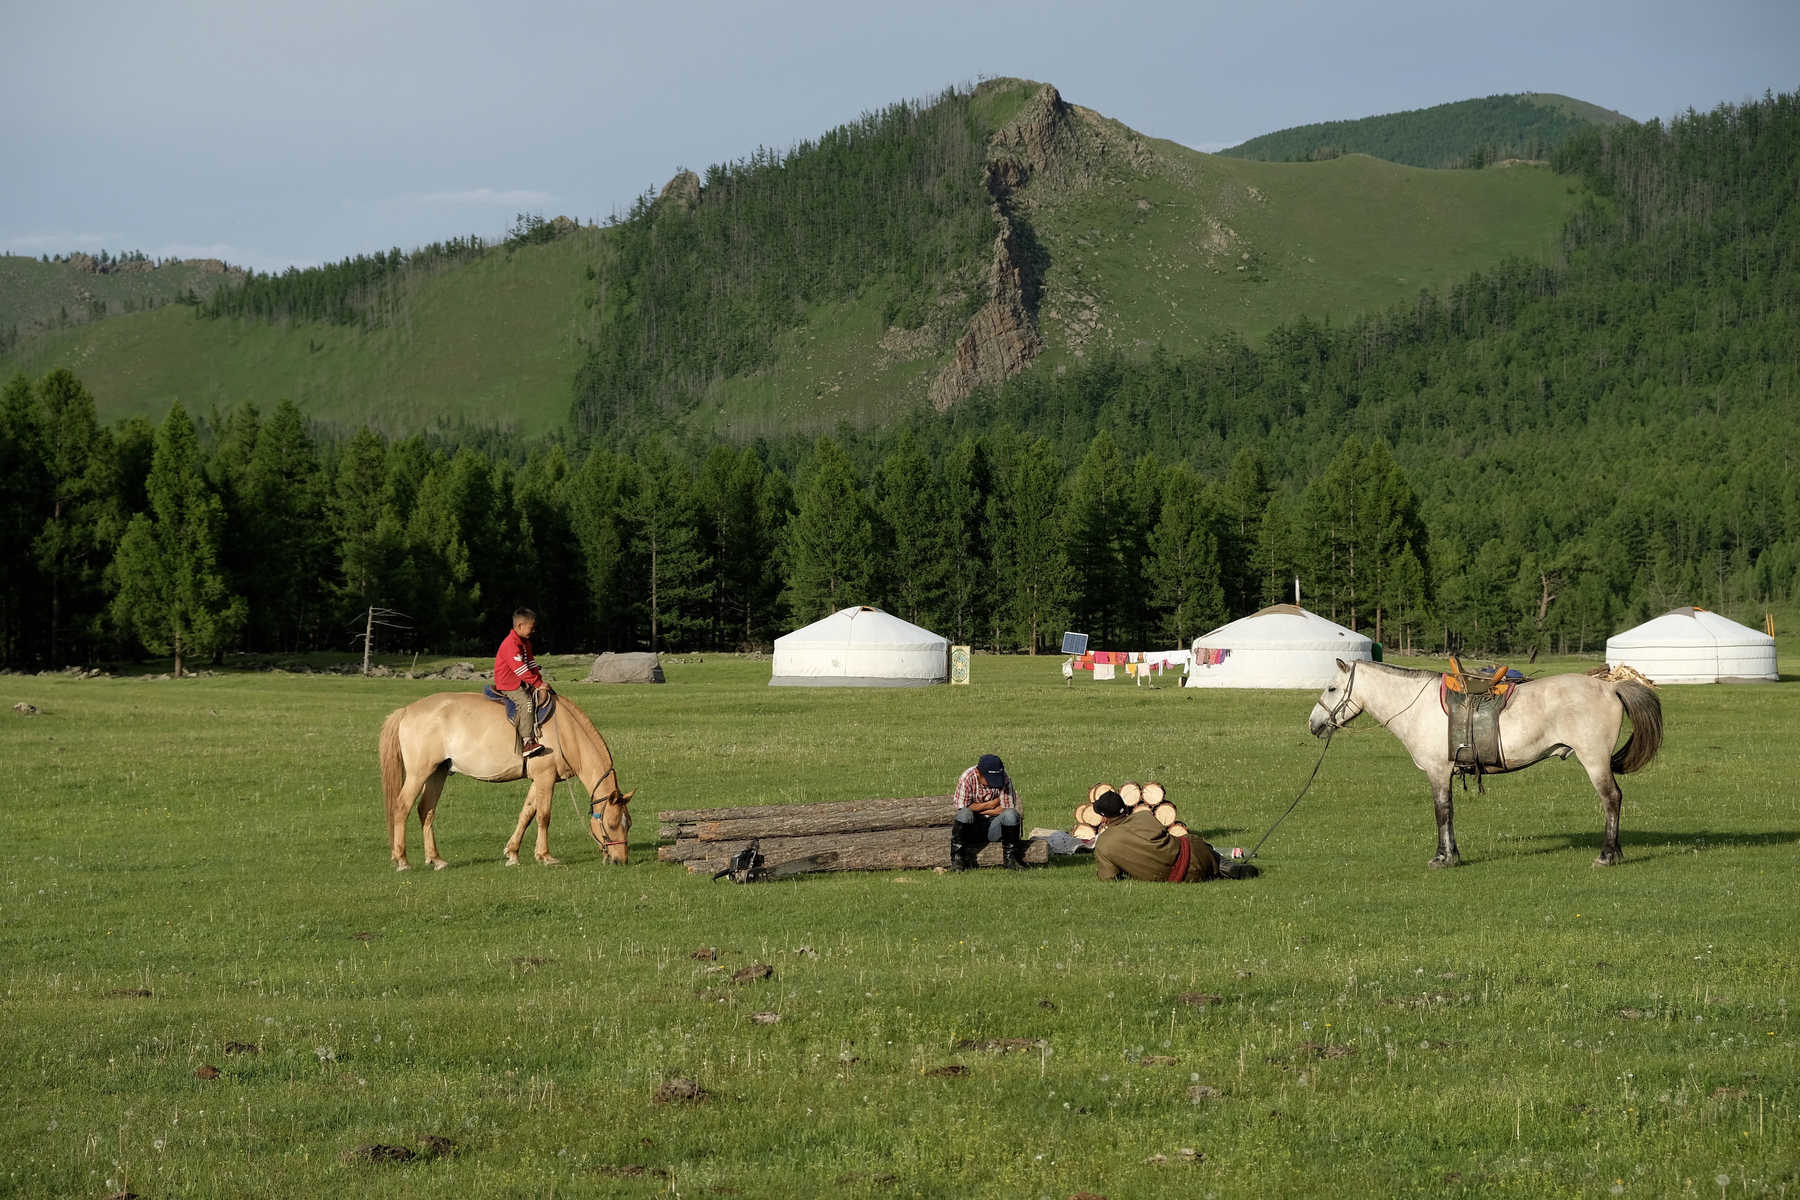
x: 1156, y: 247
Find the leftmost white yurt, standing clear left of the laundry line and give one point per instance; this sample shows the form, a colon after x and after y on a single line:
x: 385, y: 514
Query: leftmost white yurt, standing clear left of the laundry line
x: 861, y: 649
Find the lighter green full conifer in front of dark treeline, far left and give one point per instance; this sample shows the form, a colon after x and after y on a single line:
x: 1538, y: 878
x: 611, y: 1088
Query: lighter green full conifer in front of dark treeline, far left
x: 172, y: 593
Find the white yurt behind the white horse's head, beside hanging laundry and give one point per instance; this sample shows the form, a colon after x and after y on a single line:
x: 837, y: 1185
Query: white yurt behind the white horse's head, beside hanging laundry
x: 1281, y: 647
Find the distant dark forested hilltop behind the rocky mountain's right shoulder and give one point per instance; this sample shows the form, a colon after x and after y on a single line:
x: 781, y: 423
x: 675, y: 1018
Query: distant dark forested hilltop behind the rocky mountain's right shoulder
x: 1493, y: 130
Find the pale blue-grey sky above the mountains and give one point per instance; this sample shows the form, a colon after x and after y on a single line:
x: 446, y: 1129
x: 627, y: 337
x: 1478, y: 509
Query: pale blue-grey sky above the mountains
x: 278, y: 132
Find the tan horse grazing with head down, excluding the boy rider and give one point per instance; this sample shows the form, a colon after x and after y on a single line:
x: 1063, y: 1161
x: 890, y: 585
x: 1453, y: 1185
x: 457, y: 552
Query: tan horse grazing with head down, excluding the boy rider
x: 458, y: 731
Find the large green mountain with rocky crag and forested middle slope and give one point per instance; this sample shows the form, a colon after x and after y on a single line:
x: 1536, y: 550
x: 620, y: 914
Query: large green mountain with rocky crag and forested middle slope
x: 894, y: 264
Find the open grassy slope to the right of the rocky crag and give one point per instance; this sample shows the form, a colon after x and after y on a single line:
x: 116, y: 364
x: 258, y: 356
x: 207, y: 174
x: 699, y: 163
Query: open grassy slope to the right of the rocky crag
x: 1210, y: 246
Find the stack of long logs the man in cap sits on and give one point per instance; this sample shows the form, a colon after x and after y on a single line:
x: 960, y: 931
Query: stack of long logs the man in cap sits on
x: 856, y: 836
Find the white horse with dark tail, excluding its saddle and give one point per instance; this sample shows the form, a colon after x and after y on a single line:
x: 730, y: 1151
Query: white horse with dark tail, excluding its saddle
x: 1552, y: 717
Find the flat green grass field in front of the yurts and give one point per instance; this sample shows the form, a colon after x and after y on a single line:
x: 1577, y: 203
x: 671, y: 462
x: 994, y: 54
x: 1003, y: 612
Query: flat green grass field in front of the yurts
x: 193, y: 864
